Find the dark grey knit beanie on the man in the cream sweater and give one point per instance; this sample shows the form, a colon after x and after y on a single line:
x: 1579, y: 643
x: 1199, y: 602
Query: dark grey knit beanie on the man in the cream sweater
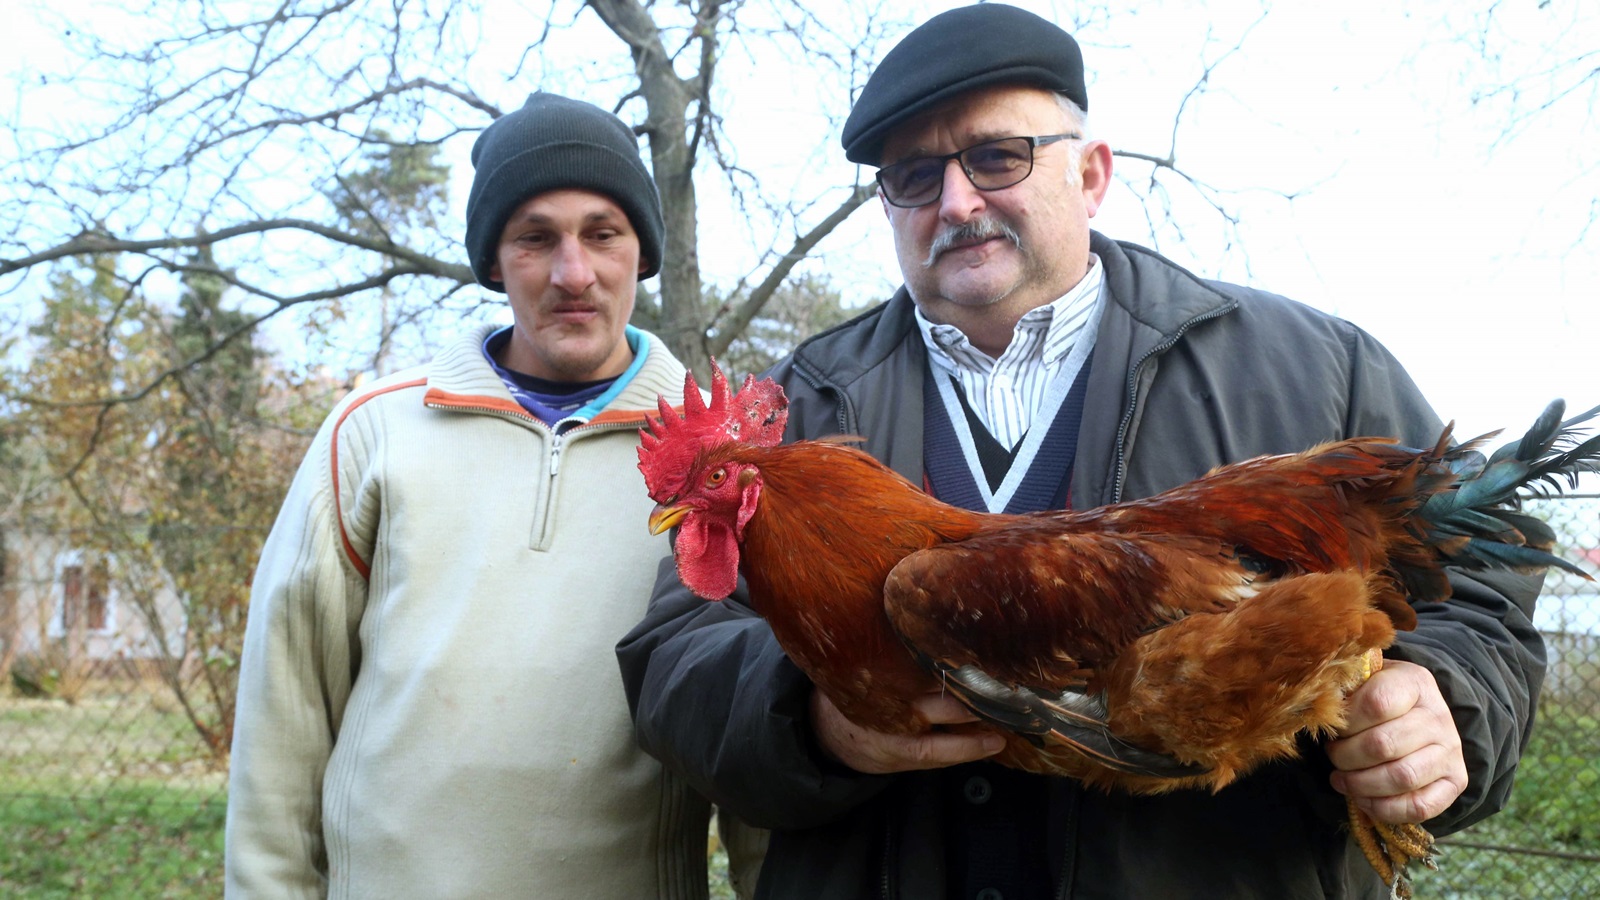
x: 558, y: 143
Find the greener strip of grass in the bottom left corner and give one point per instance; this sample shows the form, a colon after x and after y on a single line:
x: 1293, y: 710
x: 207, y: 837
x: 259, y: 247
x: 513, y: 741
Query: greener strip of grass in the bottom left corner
x: 126, y: 843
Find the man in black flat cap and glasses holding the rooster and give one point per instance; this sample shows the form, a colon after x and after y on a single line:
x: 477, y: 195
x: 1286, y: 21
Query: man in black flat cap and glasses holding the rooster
x: 1031, y: 363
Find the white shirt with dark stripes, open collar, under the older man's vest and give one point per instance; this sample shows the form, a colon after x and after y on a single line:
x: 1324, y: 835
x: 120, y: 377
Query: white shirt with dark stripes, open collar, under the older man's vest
x: 1006, y: 393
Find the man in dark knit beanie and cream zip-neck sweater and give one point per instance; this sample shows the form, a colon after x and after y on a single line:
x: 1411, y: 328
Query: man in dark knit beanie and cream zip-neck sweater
x: 428, y: 701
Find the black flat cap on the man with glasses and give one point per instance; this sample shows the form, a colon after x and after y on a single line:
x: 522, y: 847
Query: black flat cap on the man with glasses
x: 956, y: 52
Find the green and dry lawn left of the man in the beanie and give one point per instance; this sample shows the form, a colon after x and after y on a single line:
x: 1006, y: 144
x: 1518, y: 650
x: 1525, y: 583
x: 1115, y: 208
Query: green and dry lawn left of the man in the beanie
x: 111, y: 797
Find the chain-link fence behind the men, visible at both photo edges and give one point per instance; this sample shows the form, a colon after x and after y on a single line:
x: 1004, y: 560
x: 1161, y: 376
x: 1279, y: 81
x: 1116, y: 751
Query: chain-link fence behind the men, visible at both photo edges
x: 108, y: 787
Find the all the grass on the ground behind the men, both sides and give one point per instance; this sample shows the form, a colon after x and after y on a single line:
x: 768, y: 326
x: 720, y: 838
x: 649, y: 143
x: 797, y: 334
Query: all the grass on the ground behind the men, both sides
x: 105, y: 802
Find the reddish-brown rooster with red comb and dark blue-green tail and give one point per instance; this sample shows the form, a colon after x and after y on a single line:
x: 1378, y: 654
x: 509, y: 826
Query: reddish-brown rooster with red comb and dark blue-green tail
x: 1177, y: 641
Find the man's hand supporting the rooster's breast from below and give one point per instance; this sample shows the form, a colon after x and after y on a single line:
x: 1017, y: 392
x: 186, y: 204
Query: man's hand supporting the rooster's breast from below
x: 879, y: 753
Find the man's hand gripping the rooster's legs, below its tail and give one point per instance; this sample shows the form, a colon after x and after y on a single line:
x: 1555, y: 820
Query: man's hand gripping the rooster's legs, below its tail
x: 1399, y: 757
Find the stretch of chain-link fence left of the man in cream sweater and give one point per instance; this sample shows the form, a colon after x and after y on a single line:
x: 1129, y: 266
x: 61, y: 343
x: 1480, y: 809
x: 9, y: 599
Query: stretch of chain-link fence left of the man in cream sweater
x: 108, y: 787
